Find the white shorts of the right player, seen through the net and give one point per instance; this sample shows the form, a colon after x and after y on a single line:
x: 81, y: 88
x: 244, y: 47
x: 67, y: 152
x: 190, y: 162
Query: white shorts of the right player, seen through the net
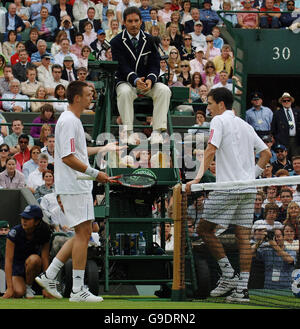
x: 230, y: 208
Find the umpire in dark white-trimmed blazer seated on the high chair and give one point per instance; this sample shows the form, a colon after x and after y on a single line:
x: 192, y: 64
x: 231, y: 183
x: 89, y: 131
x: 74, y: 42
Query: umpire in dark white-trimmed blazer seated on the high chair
x: 143, y: 75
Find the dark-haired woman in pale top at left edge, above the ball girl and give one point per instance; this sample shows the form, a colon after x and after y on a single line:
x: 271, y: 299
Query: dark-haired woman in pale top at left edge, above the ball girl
x: 10, y: 177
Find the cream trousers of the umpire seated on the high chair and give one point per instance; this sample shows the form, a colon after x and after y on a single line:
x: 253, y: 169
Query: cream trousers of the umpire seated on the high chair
x: 160, y: 94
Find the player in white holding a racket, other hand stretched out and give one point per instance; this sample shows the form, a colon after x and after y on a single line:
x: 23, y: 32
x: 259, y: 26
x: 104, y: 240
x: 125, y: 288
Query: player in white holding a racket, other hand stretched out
x: 71, y: 161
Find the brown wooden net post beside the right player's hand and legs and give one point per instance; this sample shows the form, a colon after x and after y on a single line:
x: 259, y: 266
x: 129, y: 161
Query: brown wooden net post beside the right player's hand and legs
x: 178, y: 285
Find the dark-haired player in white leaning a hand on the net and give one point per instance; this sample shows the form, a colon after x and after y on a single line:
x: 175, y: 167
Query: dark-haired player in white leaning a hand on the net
x: 232, y: 143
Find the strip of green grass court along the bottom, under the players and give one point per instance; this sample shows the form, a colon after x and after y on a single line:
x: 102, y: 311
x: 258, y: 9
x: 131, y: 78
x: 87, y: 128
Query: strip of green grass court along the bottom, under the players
x: 137, y: 302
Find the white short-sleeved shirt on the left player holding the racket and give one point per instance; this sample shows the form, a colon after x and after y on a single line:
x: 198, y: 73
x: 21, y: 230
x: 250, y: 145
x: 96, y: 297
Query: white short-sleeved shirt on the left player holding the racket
x: 70, y: 139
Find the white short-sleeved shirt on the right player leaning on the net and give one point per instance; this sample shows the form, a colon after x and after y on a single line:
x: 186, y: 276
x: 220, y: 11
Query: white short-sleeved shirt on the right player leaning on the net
x: 236, y: 142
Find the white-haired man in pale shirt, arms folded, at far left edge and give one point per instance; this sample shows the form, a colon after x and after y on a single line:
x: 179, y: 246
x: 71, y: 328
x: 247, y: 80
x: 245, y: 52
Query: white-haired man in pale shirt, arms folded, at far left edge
x: 14, y: 94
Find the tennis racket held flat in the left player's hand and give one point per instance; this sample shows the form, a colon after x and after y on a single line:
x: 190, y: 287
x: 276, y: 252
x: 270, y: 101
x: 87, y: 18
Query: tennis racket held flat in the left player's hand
x: 128, y: 180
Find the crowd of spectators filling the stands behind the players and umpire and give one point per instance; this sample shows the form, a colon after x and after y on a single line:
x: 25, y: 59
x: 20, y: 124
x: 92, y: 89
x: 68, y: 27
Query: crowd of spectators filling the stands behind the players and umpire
x: 47, y: 44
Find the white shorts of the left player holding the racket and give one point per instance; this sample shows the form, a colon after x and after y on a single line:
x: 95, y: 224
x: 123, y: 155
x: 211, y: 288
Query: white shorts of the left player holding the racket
x: 78, y: 208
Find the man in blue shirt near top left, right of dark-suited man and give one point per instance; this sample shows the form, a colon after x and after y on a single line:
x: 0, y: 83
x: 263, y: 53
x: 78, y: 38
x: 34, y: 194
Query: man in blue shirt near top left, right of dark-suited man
x: 46, y: 24
